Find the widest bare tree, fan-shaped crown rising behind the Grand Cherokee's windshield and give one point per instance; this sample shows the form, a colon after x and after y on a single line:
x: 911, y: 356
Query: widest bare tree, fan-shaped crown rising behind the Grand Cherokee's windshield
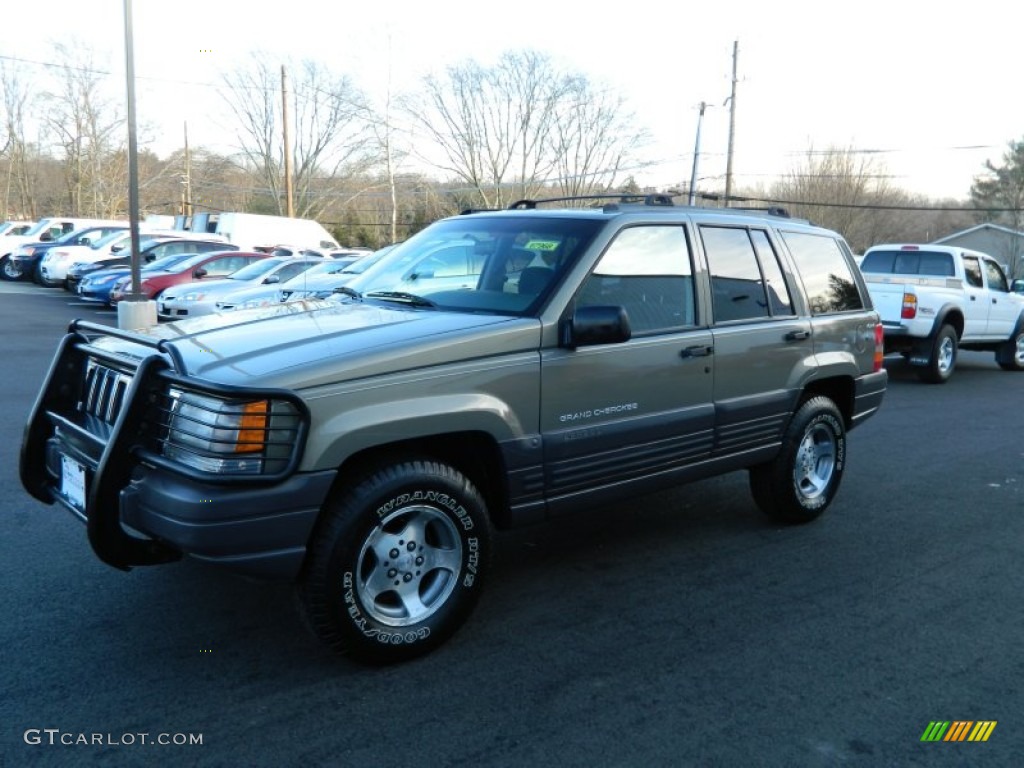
x: 522, y: 126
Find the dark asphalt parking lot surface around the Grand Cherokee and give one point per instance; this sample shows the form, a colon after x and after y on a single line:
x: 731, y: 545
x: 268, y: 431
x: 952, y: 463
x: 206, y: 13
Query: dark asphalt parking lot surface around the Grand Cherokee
x: 680, y: 629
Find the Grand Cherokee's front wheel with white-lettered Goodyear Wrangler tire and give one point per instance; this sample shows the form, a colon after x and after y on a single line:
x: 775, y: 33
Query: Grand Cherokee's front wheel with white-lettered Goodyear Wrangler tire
x: 398, y: 563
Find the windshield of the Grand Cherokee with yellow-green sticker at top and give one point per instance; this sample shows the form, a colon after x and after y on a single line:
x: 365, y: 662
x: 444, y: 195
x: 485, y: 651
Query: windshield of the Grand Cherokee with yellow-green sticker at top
x: 493, y: 264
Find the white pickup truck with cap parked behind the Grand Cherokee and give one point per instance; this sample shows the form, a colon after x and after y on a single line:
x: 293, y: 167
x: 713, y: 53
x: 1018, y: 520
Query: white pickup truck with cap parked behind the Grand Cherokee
x: 935, y: 301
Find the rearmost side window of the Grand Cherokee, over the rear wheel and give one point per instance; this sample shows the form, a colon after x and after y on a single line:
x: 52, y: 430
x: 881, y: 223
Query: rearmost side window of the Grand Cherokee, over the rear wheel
x: 826, y: 273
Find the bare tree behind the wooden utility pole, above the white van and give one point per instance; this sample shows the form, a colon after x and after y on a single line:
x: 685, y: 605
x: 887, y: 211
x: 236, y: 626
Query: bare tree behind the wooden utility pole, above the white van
x: 330, y: 136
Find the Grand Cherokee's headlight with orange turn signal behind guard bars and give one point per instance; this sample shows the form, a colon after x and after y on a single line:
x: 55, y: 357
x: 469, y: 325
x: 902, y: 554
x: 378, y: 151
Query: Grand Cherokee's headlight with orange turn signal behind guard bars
x: 222, y: 437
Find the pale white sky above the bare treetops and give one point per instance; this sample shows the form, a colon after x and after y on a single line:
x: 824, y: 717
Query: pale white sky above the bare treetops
x: 931, y: 89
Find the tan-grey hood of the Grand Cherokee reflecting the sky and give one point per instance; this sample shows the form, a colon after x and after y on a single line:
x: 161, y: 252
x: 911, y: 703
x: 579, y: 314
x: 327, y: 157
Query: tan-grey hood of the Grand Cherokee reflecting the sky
x: 312, y: 344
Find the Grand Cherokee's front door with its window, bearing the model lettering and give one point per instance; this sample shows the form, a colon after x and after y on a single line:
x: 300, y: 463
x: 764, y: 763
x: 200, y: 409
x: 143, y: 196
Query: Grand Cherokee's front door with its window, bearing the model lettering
x: 615, y: 413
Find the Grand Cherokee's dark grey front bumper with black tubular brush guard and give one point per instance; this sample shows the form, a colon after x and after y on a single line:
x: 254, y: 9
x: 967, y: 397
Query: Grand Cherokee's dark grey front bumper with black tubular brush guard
x: 140, y: 508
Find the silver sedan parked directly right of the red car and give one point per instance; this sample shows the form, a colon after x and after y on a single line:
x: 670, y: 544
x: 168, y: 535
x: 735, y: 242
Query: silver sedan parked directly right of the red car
x: 190, y: 301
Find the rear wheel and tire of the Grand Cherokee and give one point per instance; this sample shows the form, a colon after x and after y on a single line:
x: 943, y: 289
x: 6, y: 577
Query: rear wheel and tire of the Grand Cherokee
x: 801, y: 483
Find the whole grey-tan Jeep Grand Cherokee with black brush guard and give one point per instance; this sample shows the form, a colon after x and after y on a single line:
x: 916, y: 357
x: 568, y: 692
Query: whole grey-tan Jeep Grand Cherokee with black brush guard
x: 367, y: 449
